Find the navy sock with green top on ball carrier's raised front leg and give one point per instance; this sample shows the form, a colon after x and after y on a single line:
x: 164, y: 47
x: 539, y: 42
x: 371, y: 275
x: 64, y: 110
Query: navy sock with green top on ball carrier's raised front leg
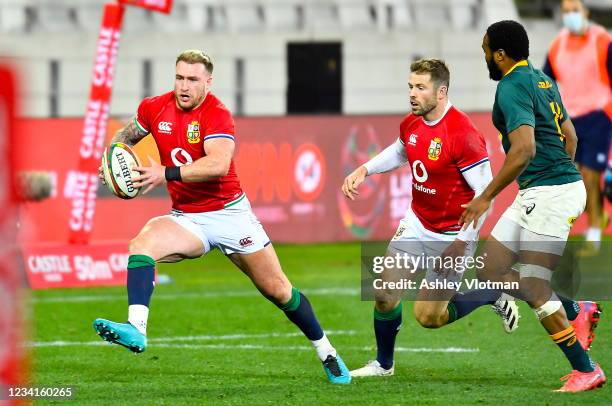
x: 140, y: 279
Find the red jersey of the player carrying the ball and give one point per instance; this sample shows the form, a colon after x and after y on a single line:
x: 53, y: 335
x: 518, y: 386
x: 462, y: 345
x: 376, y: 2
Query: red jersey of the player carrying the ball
x: 180, y: 137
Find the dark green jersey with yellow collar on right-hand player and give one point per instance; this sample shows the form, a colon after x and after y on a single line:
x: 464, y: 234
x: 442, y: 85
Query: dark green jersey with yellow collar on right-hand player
x: 527, y: 96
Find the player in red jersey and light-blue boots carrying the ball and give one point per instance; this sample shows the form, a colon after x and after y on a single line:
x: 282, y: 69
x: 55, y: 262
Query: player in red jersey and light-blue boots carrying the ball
x: 194, y: 133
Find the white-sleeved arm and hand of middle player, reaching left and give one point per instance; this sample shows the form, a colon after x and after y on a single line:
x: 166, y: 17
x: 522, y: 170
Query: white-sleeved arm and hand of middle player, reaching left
x: 388, y: 159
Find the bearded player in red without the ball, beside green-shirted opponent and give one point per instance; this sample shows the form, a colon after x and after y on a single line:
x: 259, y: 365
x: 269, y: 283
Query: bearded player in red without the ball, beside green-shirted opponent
x: 450, y: 166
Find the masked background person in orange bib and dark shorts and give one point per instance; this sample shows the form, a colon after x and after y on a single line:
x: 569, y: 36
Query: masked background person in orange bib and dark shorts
x: 579, y: 59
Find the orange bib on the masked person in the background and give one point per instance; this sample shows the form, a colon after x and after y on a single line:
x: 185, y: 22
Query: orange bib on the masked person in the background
x: 579, y: 65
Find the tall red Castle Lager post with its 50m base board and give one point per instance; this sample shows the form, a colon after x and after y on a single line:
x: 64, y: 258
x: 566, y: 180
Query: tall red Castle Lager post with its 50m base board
x: 77, y: 262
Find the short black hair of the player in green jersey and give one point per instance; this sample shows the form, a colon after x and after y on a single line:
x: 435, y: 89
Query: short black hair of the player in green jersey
x: 511, y: 37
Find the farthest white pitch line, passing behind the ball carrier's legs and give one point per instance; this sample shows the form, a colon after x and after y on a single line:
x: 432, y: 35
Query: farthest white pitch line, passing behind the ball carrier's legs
x: 186, y: 295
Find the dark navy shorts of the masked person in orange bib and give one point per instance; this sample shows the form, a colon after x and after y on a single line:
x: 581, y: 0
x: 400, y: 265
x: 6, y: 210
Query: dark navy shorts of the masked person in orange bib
x: 593, y: 130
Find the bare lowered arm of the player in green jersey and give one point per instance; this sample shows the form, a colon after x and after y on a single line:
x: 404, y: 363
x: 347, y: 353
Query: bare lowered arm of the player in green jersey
x: 522, y: 150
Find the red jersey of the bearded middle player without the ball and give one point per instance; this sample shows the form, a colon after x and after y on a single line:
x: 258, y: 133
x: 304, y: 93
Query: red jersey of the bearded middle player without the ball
x: 438, y: 154
